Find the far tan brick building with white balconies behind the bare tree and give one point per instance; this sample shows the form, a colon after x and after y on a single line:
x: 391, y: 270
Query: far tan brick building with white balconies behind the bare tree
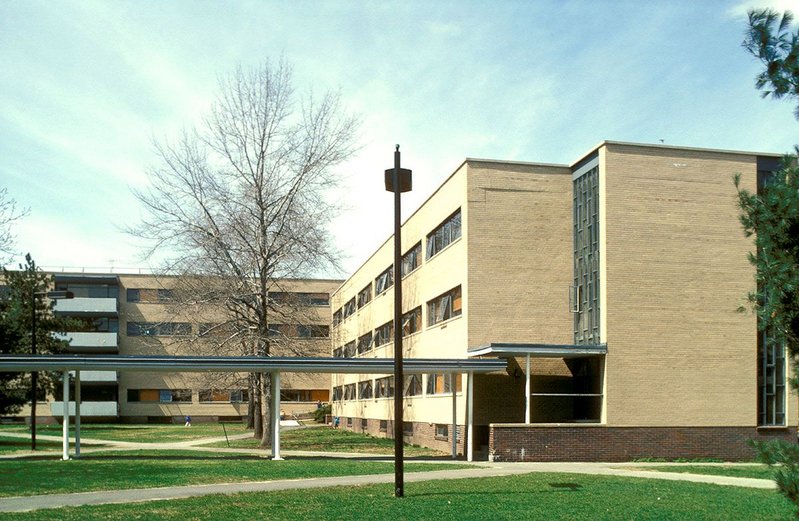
x: 130, y: 314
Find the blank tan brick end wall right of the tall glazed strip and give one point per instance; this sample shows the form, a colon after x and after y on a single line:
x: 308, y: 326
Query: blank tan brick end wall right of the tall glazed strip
x: 679, y: 353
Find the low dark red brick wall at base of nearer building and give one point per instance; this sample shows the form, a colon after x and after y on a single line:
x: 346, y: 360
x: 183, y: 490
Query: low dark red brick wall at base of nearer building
x: 515, y: 442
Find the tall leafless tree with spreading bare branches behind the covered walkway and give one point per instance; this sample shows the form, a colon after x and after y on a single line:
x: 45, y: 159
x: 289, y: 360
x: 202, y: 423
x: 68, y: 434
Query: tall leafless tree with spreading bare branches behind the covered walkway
x: 243, y: 201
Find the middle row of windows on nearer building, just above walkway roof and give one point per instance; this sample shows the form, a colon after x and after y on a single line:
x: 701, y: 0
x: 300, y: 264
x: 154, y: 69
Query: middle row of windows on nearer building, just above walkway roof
x: 444, y: 307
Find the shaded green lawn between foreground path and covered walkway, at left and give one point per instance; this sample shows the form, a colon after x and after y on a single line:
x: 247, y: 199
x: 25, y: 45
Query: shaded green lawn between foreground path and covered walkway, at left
x: 108, y: 470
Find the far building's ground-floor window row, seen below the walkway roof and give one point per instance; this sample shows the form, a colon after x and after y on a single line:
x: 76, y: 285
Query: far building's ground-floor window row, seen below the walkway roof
x: 219, y: 395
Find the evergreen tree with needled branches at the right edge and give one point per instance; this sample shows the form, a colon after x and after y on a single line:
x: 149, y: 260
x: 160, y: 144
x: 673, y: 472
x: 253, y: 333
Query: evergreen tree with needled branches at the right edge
x: 772, y: 216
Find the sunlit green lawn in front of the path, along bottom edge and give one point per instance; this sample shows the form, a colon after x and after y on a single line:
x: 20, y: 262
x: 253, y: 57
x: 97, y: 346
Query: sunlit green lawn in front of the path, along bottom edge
x: 531, y: 496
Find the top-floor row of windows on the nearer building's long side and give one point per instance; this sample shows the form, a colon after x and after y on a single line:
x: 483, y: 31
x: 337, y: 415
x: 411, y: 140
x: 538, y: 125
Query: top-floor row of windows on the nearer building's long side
x: 441, y: 237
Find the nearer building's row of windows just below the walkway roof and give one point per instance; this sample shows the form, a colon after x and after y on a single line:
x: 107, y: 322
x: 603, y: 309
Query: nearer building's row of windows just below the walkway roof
x: 437, y: 383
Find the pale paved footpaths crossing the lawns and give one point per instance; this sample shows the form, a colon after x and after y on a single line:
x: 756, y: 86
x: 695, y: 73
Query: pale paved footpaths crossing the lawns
x: 476, y: 470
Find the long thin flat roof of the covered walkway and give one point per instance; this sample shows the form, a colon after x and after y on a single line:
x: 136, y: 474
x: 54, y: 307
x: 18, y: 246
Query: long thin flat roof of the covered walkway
x: 16, y: 363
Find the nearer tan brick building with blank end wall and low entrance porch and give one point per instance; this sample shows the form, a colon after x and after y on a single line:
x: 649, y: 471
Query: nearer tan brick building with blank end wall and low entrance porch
x: 617, y: 280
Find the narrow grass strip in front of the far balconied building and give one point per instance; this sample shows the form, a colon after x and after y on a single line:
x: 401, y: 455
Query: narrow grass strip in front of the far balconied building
x: 146, y: 433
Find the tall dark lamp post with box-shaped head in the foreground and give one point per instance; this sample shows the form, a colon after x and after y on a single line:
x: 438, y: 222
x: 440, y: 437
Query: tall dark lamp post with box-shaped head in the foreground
x: 398, y: 180
